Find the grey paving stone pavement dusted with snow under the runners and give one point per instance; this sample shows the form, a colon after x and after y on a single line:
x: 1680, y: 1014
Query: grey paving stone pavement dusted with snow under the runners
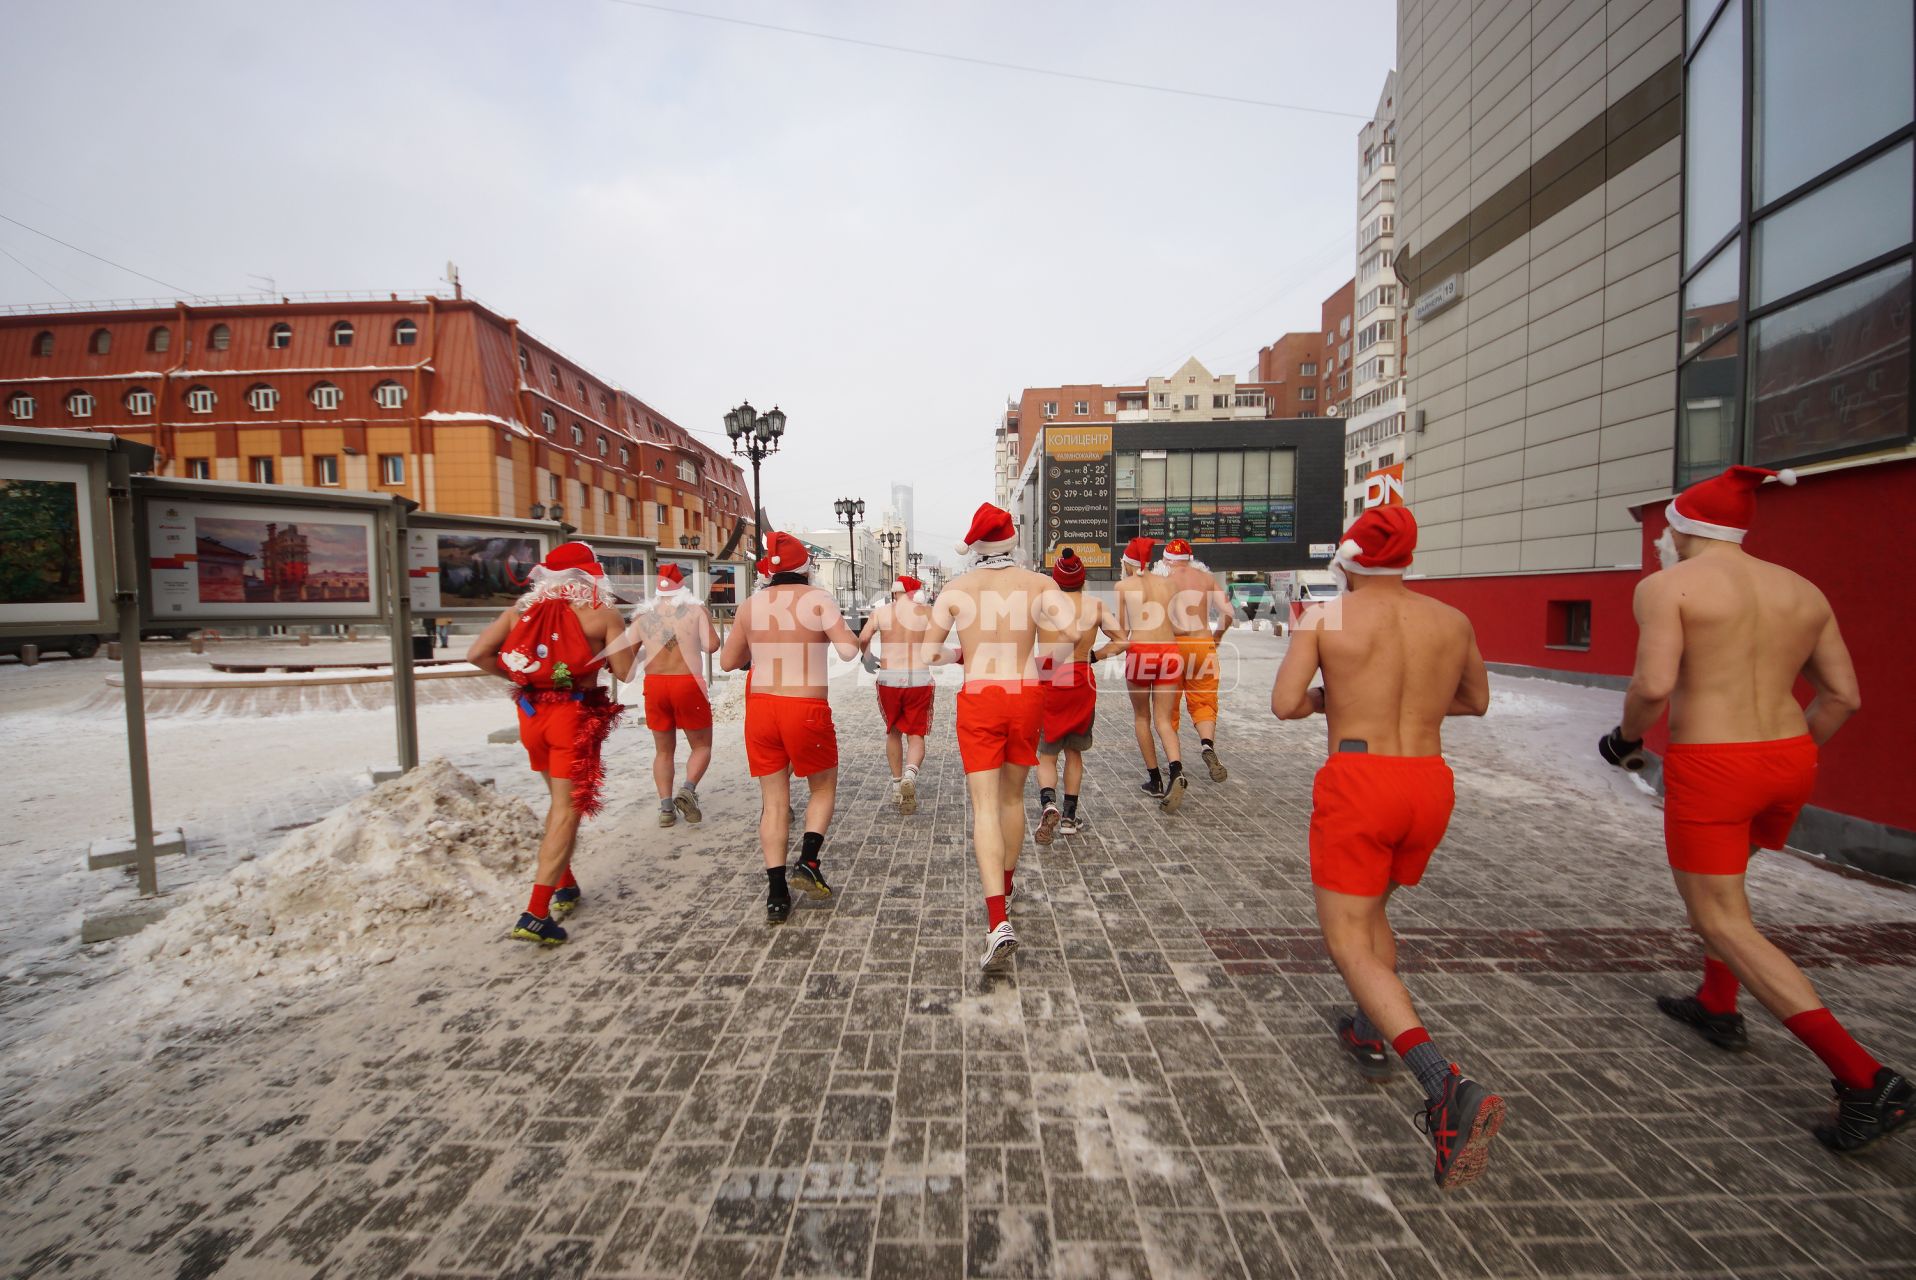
x: 1151, y: 1089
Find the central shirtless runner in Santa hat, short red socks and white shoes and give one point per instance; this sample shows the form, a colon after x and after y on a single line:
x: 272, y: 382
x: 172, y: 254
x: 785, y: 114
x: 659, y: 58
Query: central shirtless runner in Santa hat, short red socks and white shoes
x: 997, y: 610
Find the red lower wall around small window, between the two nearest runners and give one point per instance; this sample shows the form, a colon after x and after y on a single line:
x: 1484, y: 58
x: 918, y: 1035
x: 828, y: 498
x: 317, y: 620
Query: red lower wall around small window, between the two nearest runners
x: 1513, y: 614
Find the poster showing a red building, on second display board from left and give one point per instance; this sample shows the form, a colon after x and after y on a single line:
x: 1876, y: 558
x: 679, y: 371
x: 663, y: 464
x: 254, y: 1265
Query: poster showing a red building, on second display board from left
x: 262, y: 562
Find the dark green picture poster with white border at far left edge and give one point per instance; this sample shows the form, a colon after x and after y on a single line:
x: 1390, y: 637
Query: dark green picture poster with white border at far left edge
x: 49, y: 562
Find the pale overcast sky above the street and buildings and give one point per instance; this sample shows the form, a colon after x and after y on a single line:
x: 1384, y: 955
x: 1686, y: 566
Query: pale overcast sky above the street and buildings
x: 704, y: 212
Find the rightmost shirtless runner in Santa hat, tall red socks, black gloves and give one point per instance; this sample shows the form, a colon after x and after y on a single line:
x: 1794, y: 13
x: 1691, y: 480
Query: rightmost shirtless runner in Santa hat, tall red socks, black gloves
x: 1722, y: 643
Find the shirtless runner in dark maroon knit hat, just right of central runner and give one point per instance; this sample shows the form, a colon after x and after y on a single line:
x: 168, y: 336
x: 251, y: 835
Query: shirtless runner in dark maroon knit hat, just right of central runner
x: 1072, y: 698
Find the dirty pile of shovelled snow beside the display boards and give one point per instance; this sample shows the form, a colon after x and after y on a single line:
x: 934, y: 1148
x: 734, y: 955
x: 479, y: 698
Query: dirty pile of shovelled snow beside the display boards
x: 430, y: 846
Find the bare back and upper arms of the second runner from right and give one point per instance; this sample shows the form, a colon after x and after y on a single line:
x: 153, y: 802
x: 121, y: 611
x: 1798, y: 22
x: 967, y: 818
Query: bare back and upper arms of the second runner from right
x: 1394, y: 664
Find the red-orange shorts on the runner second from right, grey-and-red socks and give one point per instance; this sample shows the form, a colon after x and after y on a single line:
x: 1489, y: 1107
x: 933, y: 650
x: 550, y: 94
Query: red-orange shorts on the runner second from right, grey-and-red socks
x: 1377, y: 821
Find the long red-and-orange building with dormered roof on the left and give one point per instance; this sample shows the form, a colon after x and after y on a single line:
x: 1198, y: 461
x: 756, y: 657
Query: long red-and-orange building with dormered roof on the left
x: 444, y: 401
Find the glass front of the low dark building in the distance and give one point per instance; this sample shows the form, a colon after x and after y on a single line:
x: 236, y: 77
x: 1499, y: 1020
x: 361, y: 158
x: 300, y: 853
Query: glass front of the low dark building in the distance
x: 1208, y: 495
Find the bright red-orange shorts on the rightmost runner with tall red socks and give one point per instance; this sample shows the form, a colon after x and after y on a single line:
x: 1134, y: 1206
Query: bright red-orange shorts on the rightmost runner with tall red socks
x: 1725, y: 798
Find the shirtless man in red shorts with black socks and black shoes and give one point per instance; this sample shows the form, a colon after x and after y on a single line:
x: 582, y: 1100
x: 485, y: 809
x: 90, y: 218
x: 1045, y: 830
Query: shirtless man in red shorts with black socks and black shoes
x: 783, y: 635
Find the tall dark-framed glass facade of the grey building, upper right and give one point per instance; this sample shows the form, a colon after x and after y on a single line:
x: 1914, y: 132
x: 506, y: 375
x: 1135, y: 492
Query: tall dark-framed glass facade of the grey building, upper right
x: 1800, y: 141
